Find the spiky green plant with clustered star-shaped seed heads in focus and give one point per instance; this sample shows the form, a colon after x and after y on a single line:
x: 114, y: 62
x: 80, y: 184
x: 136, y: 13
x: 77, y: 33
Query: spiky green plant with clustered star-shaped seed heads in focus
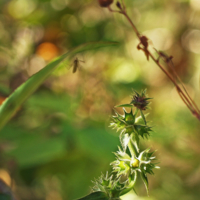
x: 130, y: 159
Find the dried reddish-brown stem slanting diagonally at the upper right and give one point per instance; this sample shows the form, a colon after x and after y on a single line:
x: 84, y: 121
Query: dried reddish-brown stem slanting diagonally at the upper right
x: 189, y: 102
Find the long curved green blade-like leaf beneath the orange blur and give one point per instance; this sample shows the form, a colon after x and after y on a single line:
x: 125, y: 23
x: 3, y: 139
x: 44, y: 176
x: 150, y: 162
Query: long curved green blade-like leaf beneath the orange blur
x: 13, y: 102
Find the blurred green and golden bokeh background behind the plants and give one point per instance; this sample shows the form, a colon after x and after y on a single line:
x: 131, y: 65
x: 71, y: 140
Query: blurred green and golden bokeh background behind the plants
x: 59, y: 140
